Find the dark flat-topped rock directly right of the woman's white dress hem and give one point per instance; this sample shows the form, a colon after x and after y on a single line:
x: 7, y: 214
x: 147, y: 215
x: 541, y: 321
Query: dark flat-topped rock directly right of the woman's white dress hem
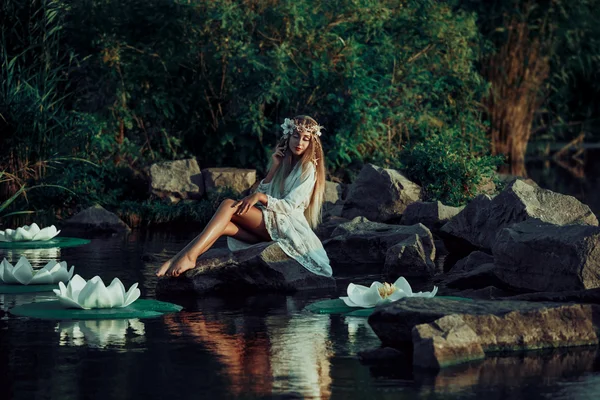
x: 363, y: 244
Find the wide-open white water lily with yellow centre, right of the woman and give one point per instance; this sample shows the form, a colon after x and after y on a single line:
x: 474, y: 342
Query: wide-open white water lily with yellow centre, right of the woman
x: 381, y: 293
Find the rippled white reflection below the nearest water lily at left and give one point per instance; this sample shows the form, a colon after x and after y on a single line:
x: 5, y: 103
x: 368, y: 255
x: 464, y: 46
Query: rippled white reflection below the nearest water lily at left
x: 98, y: 333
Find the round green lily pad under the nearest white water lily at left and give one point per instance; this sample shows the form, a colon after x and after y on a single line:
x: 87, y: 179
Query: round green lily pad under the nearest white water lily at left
x: 53, y: 310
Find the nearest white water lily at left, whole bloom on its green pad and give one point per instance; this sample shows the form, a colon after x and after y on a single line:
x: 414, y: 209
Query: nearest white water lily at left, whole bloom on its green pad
x: 94, y: 294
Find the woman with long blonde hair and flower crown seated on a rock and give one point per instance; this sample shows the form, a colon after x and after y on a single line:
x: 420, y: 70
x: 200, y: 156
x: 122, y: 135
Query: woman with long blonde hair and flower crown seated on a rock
x: 285, y: 208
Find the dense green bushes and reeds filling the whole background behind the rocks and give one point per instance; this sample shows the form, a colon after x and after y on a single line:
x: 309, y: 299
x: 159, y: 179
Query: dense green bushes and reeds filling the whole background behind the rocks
x: 93, y: 93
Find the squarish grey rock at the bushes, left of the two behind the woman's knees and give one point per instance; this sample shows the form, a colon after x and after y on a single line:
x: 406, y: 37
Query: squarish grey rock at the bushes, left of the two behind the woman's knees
x: 176, y: 180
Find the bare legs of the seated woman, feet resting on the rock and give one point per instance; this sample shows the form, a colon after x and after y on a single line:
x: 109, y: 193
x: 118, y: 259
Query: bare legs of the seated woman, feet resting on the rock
x: 224, y: 219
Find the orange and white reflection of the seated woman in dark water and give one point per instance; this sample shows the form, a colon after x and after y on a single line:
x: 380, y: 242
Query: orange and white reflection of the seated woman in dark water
x: 262, y: 356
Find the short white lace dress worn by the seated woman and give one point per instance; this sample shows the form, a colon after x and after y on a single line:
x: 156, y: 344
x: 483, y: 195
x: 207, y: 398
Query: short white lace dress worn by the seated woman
x: 286, y: 223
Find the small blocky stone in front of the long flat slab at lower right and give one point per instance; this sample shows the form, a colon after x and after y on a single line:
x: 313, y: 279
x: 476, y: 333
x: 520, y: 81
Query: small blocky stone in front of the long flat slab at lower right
x: 444, y: 342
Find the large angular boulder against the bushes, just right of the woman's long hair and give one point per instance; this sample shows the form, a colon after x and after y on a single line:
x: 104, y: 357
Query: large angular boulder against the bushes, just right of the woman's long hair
x: 380, y: 194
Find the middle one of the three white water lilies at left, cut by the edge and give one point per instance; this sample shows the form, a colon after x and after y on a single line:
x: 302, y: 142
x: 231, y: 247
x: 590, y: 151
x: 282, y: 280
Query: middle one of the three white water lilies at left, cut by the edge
x: 24, y: 274
